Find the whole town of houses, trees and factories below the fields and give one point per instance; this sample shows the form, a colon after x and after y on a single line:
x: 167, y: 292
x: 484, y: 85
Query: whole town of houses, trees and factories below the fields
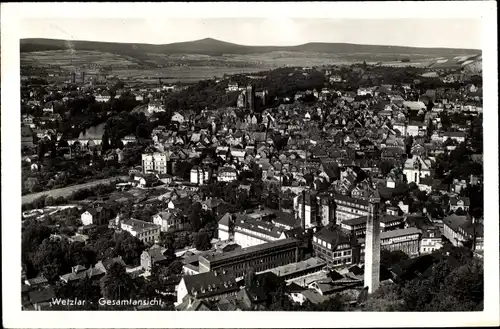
x: 332, y: 188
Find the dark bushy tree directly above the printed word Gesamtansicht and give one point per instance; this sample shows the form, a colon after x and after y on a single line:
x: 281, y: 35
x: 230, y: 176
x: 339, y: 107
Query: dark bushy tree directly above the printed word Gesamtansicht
x: 116, y: 284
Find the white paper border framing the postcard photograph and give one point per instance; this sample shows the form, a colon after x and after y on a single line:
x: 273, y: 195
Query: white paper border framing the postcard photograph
x: 12, y: 315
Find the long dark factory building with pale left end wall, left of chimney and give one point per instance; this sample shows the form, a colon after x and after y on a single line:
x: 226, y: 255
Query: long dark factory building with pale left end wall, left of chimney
x: 260, y: 257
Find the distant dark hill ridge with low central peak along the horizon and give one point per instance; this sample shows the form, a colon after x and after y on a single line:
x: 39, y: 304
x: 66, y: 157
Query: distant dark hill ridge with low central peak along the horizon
x: 216, y: 47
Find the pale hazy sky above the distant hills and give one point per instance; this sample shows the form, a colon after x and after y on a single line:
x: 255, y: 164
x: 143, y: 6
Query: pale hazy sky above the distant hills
x: 449, y: 33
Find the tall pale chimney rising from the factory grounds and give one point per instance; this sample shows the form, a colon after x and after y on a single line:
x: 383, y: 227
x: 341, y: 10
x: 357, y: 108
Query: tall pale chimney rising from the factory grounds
x: 372, y: 245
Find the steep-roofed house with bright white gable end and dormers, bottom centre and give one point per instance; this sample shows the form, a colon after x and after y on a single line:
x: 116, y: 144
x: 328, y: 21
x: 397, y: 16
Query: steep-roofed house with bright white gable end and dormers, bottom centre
x: 206, y: 286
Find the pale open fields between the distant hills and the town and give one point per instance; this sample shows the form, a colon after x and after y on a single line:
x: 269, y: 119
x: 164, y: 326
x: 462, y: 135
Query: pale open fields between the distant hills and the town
x: 194, y: 67
